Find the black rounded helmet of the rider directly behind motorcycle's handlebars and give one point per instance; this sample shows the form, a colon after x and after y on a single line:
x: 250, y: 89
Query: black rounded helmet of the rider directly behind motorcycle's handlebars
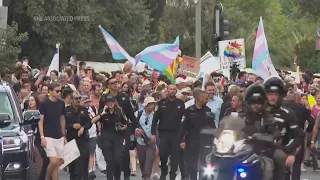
x: 255, y: 94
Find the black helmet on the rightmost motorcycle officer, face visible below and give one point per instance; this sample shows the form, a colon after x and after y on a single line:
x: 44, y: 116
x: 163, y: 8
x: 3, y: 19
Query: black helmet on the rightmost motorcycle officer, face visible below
x: 274, y: 84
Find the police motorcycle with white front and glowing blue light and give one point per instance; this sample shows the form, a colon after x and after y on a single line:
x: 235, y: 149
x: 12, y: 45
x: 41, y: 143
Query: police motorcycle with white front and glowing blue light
x: 233, y: 157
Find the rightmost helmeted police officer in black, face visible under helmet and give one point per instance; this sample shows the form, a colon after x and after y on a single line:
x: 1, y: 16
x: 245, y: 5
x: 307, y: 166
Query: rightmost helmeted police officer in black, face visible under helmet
x: 290, y: 136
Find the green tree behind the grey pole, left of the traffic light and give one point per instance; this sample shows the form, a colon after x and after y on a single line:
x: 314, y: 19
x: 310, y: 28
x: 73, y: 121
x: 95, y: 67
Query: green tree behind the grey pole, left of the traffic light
x: 179, y: 20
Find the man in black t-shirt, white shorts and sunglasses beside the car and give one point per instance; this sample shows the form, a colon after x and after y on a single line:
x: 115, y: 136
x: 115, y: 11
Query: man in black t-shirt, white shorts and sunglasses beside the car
x: 52, y: 127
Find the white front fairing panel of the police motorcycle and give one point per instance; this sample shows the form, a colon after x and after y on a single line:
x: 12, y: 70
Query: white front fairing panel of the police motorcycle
x: 225, y: 142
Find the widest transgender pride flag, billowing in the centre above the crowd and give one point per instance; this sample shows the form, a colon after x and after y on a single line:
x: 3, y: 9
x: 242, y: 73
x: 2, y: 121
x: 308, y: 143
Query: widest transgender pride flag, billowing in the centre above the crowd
x: 159, y: 56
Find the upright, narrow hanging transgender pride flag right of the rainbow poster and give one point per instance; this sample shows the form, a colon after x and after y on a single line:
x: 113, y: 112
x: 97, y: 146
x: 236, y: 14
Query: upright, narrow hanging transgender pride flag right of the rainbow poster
x: 261, y: 62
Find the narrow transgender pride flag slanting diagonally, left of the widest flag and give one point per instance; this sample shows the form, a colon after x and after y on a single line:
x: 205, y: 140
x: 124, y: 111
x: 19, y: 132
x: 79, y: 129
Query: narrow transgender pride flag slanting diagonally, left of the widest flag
x: 118, y: 53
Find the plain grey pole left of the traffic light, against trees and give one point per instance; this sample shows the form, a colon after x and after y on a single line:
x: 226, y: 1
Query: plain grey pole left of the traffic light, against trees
x: 198, y: 28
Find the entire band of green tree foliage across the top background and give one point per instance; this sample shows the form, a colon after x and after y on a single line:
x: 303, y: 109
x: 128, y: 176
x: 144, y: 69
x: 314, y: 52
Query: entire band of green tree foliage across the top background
x: 137, y: 24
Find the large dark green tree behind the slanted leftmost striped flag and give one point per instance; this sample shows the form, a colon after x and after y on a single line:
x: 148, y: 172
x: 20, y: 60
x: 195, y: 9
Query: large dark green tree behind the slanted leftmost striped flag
x: 47, y: 21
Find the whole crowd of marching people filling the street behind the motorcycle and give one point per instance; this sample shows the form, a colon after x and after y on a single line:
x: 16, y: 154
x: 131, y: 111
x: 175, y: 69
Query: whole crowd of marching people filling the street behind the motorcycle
x: 124, y: 118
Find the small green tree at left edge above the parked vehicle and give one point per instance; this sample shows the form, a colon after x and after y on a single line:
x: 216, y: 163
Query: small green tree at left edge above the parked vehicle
x: 10, y: 48
